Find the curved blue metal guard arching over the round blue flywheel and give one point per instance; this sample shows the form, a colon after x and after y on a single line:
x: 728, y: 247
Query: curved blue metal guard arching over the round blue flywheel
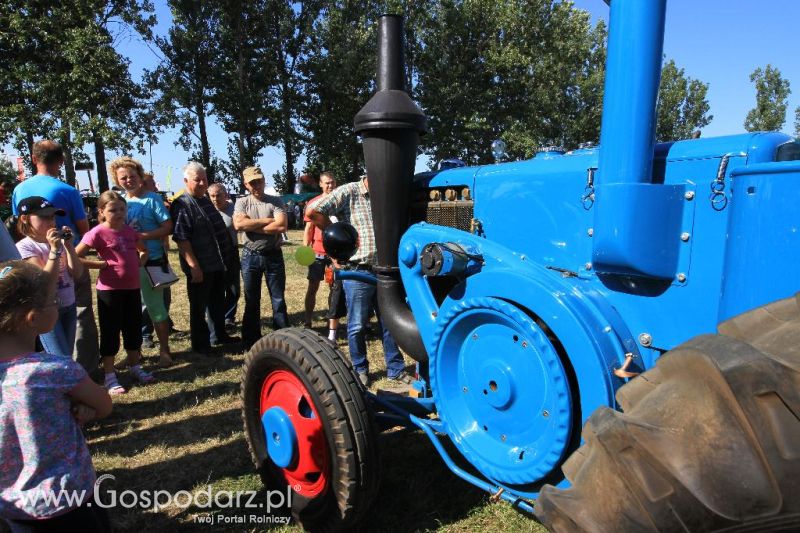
x: 592, y: 339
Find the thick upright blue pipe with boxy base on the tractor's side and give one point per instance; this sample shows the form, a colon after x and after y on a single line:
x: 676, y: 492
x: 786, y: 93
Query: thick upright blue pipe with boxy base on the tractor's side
x: 635, y: 220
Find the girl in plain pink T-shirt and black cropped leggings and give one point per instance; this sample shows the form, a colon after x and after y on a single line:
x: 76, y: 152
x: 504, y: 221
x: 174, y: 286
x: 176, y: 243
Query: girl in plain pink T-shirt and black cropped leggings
x: 119, y: 304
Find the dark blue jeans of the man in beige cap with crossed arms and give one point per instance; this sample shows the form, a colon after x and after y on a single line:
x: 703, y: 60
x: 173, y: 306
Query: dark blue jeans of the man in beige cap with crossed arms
x: 254, y: 266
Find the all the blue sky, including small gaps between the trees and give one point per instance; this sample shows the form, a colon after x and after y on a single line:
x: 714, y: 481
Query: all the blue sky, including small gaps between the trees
x: 719, y: 42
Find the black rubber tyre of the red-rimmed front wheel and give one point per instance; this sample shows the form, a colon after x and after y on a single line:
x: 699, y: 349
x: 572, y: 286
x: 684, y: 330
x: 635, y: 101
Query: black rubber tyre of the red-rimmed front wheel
x: 336, y: 395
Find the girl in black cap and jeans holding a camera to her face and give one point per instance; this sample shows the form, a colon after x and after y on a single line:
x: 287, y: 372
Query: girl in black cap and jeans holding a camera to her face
x: 52, y: 250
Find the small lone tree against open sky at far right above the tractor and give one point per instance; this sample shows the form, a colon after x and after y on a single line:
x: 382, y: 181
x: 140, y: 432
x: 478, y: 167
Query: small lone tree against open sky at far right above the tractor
x: 772, y: 93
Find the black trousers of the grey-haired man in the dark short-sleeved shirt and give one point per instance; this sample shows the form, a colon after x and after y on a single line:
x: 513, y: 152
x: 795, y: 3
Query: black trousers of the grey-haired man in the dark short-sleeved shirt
x: 208, y: 294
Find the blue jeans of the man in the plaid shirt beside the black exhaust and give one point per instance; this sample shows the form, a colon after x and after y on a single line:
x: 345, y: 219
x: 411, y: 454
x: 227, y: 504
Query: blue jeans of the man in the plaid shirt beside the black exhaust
x: 361, y: 299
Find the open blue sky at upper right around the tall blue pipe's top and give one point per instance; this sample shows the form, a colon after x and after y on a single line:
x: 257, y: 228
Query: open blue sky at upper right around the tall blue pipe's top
x: 720, y: 42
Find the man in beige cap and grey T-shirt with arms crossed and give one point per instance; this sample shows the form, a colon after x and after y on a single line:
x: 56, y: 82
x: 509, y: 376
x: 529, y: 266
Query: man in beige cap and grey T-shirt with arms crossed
x: 262, y: 219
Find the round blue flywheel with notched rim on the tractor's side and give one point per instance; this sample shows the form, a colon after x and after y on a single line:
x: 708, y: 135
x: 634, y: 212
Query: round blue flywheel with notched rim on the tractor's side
x: 501, y: 390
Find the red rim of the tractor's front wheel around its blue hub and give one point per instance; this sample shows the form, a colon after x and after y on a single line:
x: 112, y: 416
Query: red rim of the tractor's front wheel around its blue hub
x: 309, y: 471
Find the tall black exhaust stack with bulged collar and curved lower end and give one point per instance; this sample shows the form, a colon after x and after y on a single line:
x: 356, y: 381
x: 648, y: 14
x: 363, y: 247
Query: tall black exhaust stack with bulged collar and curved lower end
x: 390, y: 125
